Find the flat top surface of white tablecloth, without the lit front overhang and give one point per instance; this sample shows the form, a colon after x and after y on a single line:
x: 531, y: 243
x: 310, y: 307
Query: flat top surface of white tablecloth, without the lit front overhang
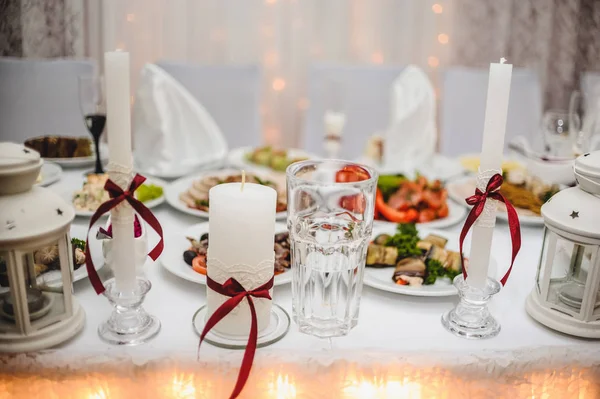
x: 388, y: 322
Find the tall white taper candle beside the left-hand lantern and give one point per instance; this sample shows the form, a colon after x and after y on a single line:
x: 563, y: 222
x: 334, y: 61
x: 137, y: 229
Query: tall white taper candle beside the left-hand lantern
x: 116, y: 70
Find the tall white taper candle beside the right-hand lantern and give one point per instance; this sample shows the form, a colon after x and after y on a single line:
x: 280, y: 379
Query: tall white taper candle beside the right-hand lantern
x: 494, y: 129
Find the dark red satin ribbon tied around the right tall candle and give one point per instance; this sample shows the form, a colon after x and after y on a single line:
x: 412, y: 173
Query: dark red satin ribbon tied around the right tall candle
x: 478, y: 201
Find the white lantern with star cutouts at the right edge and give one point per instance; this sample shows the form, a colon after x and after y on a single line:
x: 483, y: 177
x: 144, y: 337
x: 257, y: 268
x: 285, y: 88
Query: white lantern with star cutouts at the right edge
x: 566, y: 296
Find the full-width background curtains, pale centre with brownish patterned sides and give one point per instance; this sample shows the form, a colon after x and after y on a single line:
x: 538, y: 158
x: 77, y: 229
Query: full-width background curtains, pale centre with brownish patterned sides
x: 557, y: 38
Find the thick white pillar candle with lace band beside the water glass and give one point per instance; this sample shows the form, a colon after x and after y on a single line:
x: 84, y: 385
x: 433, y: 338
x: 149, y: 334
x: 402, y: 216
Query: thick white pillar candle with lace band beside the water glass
x: 241, y: 245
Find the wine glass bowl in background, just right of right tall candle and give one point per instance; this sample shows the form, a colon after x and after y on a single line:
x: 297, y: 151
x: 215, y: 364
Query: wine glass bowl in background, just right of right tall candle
x: 560, y: 129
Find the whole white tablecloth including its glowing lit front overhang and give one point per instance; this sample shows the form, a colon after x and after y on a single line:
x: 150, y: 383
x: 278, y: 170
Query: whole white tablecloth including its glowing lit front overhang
x: 392, y: 329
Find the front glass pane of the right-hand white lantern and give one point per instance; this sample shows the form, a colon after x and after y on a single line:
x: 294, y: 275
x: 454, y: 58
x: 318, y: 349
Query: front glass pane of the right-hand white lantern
x: 570, y: 267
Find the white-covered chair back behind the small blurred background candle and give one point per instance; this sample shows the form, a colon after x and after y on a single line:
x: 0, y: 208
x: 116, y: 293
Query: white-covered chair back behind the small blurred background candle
x: 366, y: 93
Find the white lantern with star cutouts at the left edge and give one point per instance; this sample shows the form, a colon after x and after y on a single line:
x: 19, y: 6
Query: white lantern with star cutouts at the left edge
x: 36, y: 311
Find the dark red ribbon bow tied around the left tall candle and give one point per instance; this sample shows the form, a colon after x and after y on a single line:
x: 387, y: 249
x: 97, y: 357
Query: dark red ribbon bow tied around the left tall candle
x: 117, y: 195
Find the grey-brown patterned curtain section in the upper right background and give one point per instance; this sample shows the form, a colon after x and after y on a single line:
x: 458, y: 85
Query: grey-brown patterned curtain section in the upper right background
x: 559, y: 39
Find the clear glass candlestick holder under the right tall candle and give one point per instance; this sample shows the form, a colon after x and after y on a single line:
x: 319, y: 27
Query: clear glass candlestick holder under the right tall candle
x: 471, y: 317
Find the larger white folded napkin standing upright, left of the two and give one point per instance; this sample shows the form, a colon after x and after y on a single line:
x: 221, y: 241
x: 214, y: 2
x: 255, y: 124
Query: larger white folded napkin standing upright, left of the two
x: 173, y: 133
